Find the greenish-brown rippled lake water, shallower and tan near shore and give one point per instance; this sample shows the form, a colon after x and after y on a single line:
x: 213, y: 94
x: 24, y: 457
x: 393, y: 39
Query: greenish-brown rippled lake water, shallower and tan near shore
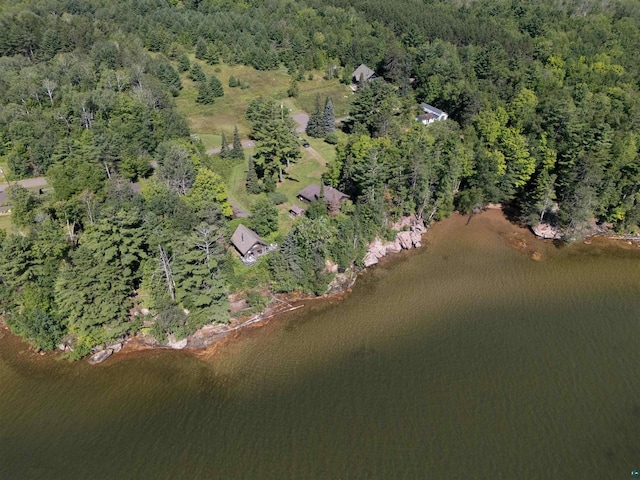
x: 465, y: 360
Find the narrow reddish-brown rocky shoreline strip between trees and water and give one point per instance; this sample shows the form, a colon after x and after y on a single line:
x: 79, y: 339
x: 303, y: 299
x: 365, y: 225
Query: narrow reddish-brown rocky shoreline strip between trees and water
x: 210, y: 339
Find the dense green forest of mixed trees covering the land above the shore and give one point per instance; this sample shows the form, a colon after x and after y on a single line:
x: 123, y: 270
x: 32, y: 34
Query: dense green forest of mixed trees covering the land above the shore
x: 542, y: 98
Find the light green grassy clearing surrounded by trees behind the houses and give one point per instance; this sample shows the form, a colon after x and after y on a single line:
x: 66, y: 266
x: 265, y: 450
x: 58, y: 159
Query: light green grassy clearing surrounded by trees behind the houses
x: 209, y: 121
